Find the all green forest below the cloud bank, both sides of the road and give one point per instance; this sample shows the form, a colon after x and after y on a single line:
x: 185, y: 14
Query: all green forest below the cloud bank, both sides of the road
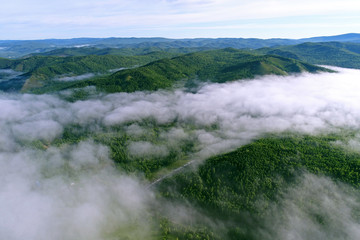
x: 231, y: 195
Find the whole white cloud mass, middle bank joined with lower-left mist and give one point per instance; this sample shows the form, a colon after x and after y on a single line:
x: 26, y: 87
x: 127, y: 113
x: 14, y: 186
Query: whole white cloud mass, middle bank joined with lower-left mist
x: 74, y: 191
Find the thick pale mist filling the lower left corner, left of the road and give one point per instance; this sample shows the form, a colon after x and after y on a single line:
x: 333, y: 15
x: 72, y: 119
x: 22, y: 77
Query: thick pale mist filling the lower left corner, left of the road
x: 68, y: 193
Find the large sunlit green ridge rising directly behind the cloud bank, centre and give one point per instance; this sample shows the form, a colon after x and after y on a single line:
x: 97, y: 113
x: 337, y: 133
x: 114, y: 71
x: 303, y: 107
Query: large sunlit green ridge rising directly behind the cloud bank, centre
x: 216, y: 65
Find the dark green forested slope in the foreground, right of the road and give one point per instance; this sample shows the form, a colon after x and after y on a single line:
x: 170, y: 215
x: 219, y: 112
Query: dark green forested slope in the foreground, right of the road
x: 240, y: 186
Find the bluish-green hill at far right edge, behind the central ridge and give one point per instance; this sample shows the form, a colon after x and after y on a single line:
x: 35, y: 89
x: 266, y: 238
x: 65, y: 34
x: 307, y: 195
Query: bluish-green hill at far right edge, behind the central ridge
x: 326, y: 53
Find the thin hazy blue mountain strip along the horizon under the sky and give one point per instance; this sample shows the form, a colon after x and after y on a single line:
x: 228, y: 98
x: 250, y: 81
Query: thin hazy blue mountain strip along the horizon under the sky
x: 19, y: 48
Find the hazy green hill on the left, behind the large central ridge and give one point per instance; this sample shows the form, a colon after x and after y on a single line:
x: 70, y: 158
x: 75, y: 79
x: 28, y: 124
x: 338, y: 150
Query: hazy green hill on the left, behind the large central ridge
x: 40, y: 70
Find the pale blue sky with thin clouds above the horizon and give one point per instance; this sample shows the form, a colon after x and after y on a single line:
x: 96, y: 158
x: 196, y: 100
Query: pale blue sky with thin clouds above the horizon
x: 40, y: 19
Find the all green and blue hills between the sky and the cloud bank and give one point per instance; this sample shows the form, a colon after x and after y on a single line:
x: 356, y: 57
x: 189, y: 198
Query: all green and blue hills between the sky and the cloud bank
x: 136, y: 64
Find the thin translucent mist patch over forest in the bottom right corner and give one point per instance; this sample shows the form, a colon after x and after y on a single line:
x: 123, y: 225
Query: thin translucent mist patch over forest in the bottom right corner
x: 316, y: 208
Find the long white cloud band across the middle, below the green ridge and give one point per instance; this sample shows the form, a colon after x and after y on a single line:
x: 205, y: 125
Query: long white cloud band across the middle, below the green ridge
x: 241, y: 109
